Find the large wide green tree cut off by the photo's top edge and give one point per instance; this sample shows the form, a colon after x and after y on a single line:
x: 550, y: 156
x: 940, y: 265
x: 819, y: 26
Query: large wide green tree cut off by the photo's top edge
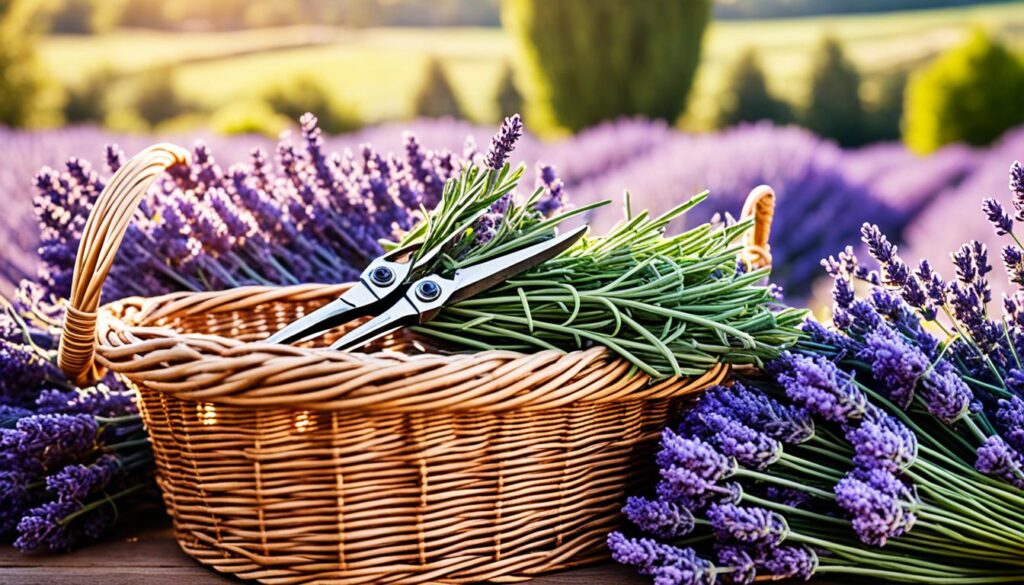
x: 588, y: 61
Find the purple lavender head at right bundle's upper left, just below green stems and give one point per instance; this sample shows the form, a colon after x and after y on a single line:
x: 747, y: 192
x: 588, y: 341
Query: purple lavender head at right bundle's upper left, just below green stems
x: 821, y: 387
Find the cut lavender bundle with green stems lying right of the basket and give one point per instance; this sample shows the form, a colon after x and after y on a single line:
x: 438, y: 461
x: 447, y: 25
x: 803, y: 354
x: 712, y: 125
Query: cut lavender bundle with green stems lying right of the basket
x: 886, y: 446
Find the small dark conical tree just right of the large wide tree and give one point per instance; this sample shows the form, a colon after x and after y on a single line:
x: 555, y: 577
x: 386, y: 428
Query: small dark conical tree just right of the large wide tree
x: 748, y: 99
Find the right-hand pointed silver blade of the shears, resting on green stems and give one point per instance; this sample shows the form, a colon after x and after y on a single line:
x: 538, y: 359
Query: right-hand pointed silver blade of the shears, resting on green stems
x: 479, y: 278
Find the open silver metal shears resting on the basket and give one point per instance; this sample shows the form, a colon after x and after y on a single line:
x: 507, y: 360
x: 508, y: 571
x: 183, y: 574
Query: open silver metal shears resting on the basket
x: 392, y: 290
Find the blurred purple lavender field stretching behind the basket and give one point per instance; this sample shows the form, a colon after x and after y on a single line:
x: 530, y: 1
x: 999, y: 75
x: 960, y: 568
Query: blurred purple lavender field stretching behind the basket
x: 826, y: 193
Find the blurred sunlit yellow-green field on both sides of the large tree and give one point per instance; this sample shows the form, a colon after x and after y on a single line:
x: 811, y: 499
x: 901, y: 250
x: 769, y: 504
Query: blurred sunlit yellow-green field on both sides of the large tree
x: 378, y: 70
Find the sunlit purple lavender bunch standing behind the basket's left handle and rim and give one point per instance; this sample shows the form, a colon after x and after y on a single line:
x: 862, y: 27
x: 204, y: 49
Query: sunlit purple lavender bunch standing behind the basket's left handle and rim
x: 306, y: 216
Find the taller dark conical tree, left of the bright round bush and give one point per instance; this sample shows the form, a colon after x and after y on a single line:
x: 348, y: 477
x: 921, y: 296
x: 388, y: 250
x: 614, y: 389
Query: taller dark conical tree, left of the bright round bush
x: 834, y: 108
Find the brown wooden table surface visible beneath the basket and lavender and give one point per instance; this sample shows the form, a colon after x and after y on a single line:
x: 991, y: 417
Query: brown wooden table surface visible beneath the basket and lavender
x: 152, y: 558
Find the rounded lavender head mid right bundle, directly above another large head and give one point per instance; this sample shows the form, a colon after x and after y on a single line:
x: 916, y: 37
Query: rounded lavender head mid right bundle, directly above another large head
x: 882, y: 442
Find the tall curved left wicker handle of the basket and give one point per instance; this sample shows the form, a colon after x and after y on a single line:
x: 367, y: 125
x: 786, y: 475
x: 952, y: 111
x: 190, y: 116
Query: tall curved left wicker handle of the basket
x: 103, y: 235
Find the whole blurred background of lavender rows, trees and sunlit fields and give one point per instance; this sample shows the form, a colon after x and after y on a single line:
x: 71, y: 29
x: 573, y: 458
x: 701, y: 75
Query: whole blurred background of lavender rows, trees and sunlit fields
x: 906, y: 113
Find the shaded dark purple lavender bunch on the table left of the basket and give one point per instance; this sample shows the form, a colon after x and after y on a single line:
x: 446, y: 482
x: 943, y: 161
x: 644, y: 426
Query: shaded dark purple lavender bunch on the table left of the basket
x: 72, y: 459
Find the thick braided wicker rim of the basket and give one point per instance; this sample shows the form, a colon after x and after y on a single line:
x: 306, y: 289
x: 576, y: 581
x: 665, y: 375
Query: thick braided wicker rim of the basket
x: 216, y: 369
